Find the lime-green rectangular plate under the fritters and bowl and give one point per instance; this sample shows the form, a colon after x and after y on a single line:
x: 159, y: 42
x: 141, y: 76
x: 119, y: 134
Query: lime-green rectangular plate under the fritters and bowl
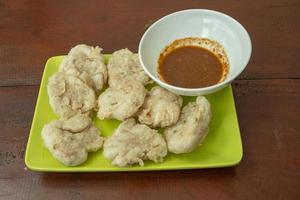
x: 221, y: 148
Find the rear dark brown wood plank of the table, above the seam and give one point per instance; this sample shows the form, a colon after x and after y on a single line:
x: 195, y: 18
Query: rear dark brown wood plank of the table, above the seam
x: 32, y: 31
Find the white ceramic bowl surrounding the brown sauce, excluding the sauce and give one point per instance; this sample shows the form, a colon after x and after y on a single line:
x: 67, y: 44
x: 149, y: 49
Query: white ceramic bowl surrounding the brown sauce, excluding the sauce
x: 196, y: 23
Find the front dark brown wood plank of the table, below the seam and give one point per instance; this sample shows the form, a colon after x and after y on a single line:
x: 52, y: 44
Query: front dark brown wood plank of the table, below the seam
x: 268, y: 115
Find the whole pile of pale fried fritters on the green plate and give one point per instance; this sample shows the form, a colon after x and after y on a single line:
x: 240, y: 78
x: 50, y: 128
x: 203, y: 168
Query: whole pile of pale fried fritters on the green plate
x: 73, y: 97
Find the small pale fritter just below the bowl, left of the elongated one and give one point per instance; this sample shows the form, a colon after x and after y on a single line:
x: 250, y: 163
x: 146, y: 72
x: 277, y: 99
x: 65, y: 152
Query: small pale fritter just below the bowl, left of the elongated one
x: 161, y: 108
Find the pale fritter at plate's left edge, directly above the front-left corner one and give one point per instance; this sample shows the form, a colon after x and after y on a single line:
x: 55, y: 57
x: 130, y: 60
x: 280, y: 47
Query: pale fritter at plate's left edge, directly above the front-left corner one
x: 69, y: 96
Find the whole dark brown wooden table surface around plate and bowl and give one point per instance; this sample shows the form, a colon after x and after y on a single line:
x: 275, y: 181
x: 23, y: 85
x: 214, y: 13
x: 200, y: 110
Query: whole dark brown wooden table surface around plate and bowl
x: 267, y: 96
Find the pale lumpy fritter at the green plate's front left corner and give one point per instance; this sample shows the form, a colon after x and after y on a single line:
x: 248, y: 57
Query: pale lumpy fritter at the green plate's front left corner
x: 69, y: 141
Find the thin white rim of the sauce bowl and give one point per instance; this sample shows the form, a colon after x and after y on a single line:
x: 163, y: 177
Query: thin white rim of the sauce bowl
x: 226, y: 81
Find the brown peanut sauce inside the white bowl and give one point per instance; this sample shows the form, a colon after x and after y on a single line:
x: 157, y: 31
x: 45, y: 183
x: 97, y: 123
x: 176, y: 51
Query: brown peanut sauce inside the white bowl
x: 190, y: 67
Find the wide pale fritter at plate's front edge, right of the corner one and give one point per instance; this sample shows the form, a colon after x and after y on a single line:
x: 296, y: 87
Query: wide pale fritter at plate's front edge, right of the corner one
x: 133, y: 143
